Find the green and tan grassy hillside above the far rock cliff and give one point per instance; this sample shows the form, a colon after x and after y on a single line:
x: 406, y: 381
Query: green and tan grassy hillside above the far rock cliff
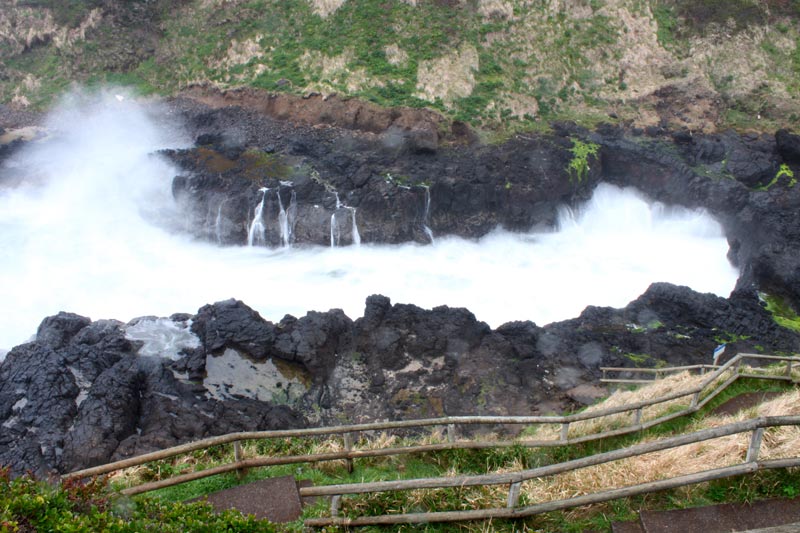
x: 496, y: 63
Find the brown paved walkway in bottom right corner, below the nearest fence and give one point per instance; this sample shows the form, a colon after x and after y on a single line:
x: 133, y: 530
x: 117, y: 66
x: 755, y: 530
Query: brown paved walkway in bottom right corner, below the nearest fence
x: 768, y: 516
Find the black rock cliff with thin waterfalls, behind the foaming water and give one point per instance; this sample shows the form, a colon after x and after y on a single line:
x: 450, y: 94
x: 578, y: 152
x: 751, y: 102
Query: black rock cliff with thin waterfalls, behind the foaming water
x: 457, y: 186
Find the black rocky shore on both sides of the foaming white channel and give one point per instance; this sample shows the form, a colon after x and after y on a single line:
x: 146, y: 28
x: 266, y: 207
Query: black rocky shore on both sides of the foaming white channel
x: 86, y: 392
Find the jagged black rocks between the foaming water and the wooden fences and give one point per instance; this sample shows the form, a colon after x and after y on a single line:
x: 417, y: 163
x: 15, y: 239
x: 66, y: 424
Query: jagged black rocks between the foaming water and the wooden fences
x: 82, y: 393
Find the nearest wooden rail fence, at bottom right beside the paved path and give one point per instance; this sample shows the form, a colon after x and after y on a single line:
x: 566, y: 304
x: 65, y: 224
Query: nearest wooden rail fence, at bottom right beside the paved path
x: 751, y: 464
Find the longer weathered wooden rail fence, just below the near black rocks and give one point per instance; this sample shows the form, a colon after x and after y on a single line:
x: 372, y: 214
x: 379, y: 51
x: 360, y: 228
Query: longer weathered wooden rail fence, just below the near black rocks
x: 697, y: 397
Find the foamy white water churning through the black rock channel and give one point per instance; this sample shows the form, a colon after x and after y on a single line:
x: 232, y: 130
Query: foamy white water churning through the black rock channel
x: 88, y: 232
